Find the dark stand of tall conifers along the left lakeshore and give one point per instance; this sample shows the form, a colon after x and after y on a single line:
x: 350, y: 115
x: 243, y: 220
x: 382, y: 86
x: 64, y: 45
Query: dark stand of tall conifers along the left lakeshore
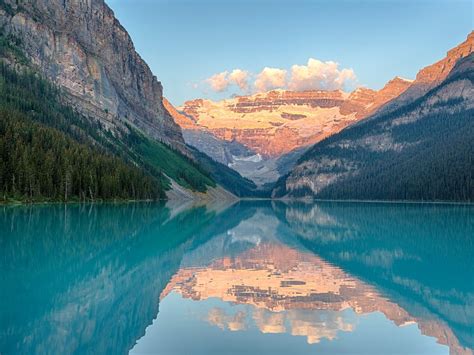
x: 41, y: 163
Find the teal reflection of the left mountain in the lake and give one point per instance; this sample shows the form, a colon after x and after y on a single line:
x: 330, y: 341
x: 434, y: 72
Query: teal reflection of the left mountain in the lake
x: 87, y: 279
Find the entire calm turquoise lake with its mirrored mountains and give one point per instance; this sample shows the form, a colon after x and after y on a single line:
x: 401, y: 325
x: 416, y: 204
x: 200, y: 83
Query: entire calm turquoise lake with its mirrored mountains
x: 249, y: 278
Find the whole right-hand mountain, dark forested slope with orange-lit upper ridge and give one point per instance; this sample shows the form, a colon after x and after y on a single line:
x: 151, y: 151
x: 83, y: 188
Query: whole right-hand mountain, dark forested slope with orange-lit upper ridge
x: 421, y: 149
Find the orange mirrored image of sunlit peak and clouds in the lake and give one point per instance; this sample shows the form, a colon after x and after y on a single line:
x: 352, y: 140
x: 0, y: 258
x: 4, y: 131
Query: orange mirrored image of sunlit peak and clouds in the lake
x: 292, y: 292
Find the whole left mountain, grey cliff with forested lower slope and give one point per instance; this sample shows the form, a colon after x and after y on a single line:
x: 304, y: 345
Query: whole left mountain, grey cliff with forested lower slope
x: 82, y: 114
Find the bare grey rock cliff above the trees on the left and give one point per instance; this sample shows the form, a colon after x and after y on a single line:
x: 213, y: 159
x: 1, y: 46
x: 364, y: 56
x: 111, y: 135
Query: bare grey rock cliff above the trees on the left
x: 81, y: 46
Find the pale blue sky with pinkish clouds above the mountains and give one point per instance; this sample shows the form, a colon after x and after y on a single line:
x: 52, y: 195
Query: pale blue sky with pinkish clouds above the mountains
x: 219, y: 48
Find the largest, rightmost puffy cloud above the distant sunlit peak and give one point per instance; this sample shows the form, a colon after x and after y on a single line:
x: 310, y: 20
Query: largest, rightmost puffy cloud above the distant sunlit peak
x: 319, y: 75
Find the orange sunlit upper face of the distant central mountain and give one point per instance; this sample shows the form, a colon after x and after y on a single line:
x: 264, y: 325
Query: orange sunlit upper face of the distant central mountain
x: 279, y: 121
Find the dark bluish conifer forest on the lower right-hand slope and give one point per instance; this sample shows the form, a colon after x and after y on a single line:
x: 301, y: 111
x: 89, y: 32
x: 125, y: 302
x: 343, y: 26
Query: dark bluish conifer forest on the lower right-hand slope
x: 440, y: 168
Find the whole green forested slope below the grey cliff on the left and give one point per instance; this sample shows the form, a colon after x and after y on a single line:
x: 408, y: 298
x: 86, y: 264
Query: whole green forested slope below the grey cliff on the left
x: 51, y: 152
